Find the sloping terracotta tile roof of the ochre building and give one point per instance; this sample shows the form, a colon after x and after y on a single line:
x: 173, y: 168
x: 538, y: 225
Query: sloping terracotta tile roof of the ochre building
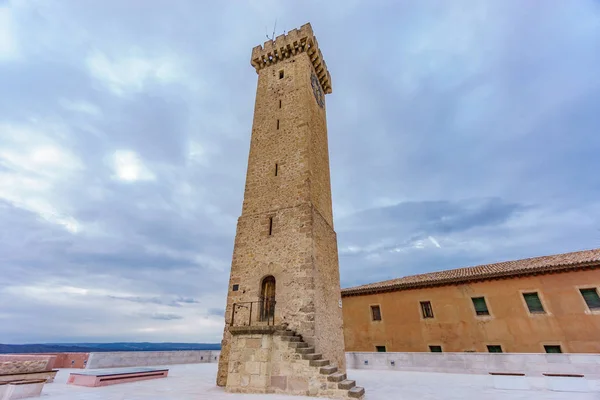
x: 504, y: 269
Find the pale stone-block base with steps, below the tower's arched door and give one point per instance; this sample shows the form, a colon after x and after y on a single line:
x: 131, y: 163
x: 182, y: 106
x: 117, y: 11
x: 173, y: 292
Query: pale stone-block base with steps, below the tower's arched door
x: 276, y: 360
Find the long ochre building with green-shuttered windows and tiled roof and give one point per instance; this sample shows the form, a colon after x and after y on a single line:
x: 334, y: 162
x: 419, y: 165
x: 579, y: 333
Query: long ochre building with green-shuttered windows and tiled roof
x: 544, y: 304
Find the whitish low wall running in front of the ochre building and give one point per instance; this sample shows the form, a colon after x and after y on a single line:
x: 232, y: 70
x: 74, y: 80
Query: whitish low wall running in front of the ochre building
x: 479, y: 363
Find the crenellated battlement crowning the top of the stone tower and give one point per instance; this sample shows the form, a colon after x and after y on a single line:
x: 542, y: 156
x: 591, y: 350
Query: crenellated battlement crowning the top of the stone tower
x: 284, y: 46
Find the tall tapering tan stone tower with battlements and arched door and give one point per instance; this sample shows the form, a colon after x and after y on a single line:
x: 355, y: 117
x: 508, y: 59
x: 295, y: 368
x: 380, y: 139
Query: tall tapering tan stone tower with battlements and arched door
x: 284, y: 287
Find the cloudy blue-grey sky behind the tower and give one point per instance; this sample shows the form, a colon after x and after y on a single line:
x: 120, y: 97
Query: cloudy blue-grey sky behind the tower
x: 461, y: 133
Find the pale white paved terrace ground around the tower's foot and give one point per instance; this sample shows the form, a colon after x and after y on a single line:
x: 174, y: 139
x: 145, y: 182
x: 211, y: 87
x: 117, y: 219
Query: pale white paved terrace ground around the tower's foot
x: 196, y: 382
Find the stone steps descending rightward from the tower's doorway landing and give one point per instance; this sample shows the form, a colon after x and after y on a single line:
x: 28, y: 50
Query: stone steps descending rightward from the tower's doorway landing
x: 334, y: 384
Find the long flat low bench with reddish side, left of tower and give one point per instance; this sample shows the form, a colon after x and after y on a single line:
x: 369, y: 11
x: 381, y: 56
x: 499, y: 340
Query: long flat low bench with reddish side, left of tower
x: 115, y: 376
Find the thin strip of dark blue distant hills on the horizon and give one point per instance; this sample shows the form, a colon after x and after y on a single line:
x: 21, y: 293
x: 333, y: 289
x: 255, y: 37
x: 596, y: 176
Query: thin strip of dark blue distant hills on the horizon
x: 98, y: 347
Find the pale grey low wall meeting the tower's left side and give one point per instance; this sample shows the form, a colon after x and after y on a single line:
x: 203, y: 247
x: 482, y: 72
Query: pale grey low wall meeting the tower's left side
x: 151, y: 358
